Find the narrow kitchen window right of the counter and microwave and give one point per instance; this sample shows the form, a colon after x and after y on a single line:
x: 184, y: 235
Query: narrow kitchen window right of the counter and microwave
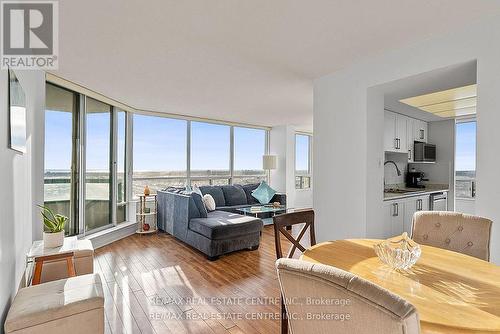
x: 465, y: 166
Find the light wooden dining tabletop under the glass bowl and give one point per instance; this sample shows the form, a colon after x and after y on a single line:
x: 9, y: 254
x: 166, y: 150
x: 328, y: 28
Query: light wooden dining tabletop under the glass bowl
x: 453, y: 292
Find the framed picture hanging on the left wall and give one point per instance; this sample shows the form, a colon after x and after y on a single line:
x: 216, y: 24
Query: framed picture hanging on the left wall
x: 17, y: 114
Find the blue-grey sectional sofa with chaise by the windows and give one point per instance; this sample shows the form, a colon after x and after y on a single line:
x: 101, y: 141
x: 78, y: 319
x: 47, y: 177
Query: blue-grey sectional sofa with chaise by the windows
x: 214, y: 233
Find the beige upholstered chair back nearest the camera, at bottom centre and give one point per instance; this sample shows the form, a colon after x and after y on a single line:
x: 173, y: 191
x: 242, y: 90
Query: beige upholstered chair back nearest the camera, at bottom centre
x: 356, y: 306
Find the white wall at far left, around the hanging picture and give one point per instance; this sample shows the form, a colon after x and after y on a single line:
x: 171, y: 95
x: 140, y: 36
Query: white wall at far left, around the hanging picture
x: 19, y: 192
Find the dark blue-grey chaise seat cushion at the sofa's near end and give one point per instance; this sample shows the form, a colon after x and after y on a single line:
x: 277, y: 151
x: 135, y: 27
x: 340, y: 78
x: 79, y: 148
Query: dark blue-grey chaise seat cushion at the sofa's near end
x: 225, y: 225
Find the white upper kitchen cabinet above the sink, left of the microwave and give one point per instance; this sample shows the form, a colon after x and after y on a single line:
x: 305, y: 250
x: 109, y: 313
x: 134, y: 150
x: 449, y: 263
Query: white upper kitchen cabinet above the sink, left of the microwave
x: 395, y: 132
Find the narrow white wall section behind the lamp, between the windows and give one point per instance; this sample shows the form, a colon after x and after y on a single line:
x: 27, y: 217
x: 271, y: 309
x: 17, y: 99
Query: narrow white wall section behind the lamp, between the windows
x: 282, y: 144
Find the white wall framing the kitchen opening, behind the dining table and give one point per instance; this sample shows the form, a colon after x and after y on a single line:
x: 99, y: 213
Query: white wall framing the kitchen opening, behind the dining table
x: 348, y: 127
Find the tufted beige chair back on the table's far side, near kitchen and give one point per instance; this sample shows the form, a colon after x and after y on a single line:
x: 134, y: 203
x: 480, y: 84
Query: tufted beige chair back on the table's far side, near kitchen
x: 453, y: 231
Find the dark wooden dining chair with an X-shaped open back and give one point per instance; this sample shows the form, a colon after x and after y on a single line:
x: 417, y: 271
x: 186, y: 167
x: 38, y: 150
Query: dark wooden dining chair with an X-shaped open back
x: 282, y: 226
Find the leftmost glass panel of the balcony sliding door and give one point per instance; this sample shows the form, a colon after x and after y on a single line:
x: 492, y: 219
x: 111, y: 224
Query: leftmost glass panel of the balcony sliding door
x: 61, y: 179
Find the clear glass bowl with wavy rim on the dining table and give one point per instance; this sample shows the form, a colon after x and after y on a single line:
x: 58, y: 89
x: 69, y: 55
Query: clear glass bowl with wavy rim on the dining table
x: 399, y: 253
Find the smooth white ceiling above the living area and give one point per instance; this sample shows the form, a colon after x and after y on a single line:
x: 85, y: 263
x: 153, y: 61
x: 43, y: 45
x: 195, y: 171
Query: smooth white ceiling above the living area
x: 249, y: 61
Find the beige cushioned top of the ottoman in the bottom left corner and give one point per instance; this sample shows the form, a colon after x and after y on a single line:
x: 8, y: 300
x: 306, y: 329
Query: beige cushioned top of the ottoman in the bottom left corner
x: 39, y: 304
